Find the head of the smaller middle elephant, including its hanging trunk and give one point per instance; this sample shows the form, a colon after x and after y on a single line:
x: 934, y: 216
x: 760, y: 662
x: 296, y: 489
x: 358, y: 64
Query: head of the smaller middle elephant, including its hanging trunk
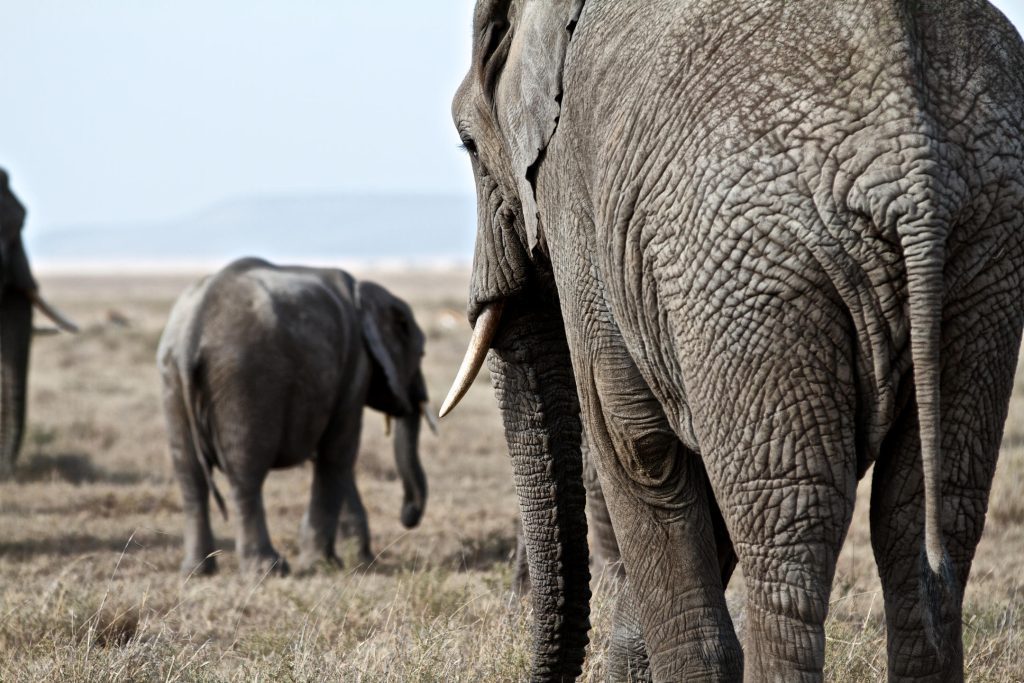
x: 397, y: 388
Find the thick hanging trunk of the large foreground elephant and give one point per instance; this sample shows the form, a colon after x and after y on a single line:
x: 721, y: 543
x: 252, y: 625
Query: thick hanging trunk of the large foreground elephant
x: 537, y: 396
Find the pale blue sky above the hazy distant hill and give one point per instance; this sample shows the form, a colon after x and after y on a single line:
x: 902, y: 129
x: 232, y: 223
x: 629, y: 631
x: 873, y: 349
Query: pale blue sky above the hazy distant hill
x: 121, y: 111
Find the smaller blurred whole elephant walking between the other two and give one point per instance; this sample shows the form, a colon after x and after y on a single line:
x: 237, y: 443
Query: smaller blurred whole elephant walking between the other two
x: 267, y: 367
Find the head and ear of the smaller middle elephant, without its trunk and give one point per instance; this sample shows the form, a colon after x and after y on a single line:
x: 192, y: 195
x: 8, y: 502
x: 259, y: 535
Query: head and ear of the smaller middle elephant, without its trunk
x: 396, y: 345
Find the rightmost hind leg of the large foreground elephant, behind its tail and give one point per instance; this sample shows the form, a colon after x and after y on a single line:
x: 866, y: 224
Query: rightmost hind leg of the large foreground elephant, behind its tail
x: 976, y: 383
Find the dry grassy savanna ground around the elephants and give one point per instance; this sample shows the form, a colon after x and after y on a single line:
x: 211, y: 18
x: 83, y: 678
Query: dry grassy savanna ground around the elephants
x: 91, y: 536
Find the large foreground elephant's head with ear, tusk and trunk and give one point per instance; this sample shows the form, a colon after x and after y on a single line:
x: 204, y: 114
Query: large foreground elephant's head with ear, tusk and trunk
x: 506, y: 111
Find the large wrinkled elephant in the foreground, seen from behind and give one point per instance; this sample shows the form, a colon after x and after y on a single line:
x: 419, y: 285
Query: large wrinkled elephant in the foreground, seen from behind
x: 761, y: 246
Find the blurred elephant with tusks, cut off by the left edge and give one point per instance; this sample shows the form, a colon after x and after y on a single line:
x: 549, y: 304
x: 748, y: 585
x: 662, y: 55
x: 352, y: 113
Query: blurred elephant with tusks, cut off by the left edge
x: 19, y: 293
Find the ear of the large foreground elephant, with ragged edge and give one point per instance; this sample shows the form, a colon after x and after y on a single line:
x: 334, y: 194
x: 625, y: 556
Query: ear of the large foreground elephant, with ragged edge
x: 522, y: 47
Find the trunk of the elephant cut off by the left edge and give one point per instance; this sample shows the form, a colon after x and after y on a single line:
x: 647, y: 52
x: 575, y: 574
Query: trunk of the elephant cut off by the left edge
x: 16, y: 336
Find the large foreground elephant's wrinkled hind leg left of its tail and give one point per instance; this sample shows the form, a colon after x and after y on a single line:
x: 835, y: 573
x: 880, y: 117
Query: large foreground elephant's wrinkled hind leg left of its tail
x: 778, y: 431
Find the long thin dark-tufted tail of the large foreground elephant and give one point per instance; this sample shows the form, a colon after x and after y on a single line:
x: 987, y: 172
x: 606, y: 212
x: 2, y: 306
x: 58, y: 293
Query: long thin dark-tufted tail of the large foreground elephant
x: 924, y: 253
